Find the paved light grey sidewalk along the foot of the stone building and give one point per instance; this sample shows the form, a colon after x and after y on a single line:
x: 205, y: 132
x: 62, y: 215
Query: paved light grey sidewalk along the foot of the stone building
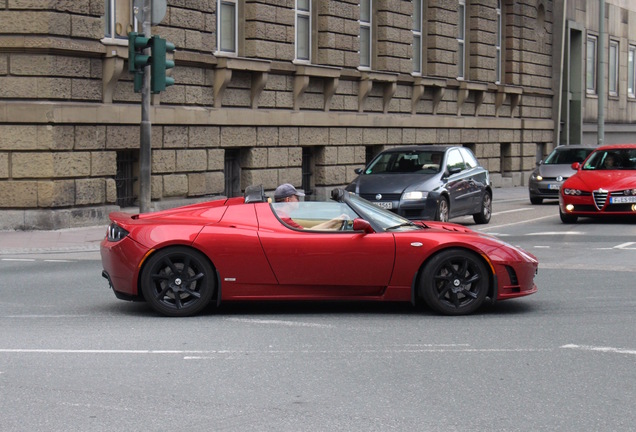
x: 87, y: 239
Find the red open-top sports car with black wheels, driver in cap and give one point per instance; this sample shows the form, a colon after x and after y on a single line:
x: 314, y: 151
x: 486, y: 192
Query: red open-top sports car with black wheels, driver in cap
x: 180, y: 261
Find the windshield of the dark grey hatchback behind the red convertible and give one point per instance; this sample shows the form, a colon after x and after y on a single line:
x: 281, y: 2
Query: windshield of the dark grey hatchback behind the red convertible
x: 410, y: 161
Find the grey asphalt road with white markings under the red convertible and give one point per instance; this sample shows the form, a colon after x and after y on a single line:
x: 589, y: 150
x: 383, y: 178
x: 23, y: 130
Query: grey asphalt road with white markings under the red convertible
x: 72, y: 357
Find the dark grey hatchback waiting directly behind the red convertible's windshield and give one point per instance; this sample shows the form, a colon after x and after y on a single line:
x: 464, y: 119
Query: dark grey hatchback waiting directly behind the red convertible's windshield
x: 427, y: 182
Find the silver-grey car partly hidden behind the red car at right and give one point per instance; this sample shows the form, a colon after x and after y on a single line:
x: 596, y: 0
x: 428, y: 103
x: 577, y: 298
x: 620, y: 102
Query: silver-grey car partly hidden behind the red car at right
x: 549, y: 175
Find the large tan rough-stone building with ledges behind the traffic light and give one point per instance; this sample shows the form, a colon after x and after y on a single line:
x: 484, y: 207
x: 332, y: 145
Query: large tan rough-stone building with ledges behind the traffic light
x: 267, y: 91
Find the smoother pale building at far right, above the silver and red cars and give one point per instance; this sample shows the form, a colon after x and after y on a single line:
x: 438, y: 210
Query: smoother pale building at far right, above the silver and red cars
x: 576, y: 79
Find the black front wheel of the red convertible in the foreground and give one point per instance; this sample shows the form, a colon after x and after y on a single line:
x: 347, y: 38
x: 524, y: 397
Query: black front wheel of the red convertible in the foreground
x: 454, y: 282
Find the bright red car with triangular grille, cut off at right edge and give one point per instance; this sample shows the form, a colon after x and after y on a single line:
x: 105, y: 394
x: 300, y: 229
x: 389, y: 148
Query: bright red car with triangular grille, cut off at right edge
x: 604, y: 184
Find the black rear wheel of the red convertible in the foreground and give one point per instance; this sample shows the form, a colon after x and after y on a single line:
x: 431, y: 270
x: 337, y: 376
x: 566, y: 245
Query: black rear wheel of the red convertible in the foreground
x: 178, y: 282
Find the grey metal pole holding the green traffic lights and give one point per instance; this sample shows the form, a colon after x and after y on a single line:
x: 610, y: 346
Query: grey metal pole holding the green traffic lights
x: 146, y: 126
